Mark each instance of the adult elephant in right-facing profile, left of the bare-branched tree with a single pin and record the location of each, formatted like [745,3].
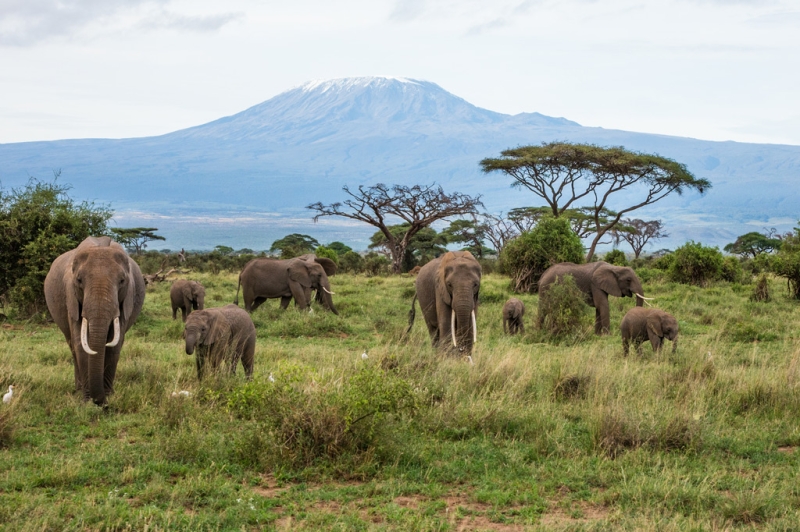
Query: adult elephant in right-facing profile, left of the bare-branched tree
[265,278]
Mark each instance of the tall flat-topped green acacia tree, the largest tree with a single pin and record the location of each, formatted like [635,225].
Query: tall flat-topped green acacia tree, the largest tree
[564,174]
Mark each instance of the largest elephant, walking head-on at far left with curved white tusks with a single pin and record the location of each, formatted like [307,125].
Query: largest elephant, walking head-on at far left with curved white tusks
[95,293]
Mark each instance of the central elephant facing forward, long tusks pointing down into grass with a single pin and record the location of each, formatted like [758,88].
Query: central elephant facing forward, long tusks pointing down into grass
[447,288]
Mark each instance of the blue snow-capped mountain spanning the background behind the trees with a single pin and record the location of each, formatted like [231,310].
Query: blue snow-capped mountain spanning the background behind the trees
[244,180]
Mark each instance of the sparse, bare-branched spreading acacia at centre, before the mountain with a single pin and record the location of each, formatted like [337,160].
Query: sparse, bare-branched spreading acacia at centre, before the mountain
[419,206]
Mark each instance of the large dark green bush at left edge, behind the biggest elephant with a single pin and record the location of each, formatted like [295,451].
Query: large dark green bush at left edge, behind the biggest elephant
[38,223]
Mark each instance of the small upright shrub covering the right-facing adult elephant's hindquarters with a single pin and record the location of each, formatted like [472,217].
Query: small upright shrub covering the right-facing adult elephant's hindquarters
[562,308]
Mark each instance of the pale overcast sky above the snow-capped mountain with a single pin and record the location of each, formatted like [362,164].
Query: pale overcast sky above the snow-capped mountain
[709,69]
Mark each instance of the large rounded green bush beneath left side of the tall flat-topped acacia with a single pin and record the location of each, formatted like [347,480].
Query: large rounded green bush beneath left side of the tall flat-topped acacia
[526,257]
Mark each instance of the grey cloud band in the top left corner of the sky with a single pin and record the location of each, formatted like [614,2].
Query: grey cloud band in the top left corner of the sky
[28,22]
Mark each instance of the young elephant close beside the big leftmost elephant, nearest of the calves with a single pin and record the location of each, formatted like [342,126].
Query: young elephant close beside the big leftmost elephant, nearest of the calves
[221,333]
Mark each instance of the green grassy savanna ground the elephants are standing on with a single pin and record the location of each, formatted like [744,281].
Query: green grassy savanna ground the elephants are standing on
[534,435]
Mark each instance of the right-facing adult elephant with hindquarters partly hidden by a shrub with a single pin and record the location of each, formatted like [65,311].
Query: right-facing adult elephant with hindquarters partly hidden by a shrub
[597,280]
